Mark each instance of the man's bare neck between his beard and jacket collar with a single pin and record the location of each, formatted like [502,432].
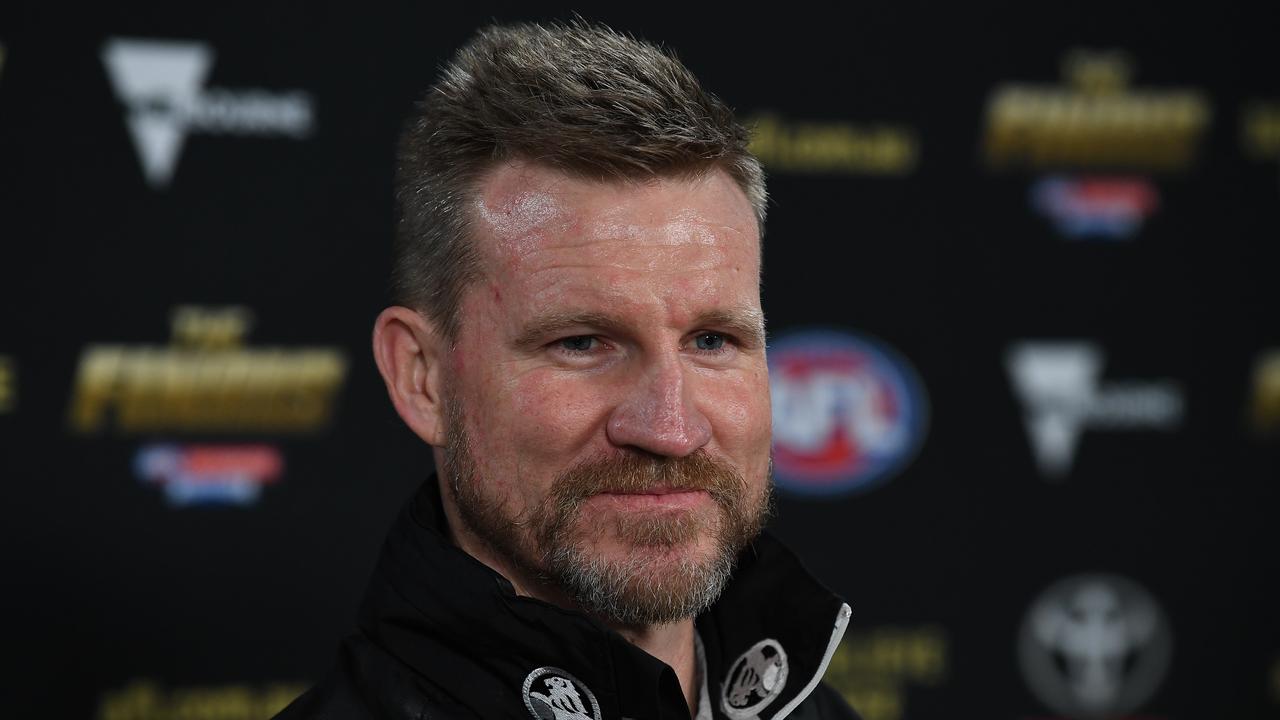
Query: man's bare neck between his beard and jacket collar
[671,644]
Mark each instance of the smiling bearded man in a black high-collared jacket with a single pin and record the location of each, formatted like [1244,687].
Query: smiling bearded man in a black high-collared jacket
[579,336]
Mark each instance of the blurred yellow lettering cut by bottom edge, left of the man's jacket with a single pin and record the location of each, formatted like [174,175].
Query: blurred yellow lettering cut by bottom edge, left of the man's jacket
[150,700]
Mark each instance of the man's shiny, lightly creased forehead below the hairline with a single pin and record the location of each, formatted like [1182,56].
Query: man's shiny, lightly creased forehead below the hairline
[532,218]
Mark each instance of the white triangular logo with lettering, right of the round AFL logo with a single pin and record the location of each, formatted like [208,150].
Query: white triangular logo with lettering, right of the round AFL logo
[1062,390]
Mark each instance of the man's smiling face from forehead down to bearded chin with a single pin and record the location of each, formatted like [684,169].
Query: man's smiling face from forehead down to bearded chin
[607,395]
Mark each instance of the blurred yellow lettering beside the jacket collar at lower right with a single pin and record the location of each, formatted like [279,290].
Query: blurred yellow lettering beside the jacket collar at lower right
[876,669]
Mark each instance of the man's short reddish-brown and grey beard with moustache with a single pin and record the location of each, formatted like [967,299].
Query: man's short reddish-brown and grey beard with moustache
[657,581]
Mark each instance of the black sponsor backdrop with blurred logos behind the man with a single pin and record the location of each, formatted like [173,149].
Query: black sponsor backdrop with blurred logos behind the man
[1021,276]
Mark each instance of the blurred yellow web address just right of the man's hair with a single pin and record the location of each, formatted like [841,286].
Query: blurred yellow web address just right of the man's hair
[834,148]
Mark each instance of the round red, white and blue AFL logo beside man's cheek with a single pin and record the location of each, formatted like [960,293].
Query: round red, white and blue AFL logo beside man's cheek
[848,413]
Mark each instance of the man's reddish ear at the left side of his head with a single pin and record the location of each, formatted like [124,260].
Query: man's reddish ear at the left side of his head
[409,353]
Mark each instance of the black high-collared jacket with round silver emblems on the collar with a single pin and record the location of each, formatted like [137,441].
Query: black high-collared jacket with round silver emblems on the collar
[442,636]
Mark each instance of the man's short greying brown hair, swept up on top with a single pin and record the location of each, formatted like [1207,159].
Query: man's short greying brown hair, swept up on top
[575,97]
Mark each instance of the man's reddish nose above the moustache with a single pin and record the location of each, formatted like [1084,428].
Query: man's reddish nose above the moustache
[659,413]
